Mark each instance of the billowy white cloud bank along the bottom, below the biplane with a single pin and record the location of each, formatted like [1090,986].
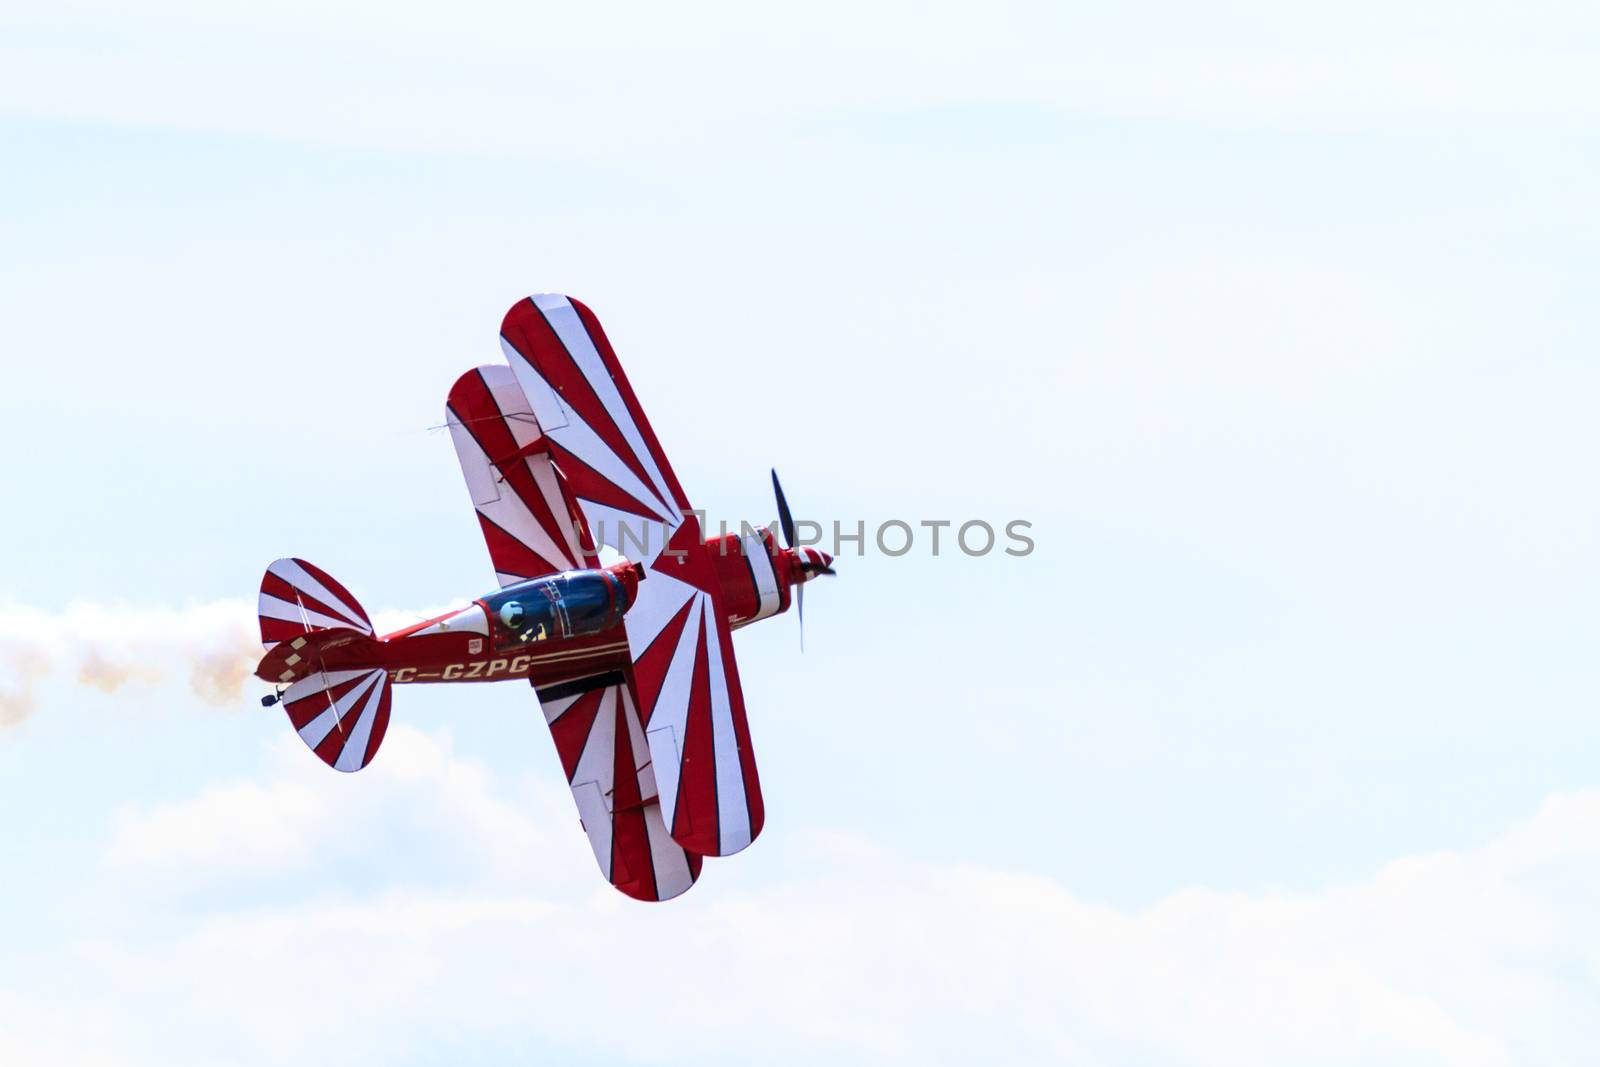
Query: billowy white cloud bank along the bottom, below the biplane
[823,946]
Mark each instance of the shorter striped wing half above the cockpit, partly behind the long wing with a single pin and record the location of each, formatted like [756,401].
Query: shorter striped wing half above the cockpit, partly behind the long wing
[524,511]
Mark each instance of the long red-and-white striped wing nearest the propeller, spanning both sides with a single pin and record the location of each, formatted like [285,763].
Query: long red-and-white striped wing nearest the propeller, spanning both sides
[686,679]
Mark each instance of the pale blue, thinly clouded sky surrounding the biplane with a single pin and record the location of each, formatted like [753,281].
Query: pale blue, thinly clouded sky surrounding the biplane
[1274,322]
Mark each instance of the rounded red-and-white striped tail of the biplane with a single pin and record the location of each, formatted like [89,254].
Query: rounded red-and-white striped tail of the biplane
[321,642]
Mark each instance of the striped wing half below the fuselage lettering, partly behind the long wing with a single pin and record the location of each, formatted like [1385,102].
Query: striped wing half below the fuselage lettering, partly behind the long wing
[598,735]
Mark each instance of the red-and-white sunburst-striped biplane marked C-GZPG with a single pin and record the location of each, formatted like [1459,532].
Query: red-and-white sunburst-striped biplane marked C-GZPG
[633,660]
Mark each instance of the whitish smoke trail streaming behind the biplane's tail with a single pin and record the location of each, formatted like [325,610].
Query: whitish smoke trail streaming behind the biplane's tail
[215,647]
